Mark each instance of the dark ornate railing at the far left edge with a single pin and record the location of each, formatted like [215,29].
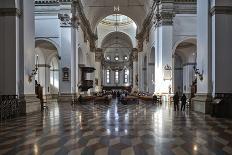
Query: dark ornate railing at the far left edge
[10,106]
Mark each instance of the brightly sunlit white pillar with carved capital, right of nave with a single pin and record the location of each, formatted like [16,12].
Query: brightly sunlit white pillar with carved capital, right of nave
[164,24]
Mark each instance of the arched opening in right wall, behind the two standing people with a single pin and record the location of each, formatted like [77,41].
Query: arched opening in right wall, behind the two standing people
[184,59]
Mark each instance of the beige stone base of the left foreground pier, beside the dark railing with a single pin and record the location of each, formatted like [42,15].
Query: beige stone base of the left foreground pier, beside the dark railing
[31,104]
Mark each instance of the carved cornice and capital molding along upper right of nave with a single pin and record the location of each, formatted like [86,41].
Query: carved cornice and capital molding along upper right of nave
[163,12]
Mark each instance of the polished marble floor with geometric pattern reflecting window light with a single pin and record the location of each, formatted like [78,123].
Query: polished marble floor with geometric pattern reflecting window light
[141,129]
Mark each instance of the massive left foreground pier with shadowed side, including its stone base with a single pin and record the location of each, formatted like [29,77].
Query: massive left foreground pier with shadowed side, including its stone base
[17,58]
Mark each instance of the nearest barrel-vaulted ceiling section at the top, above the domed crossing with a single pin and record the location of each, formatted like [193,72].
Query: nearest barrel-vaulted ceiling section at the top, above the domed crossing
[96,10]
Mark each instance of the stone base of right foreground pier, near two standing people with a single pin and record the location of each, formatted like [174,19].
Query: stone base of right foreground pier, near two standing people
[202,103]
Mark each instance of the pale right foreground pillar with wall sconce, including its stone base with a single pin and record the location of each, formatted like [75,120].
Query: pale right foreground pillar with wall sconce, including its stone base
[201,102]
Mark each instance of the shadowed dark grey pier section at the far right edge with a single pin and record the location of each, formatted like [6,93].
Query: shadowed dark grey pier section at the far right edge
[221,12]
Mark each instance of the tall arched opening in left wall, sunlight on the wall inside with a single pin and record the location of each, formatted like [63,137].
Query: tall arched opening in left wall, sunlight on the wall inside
[48,57]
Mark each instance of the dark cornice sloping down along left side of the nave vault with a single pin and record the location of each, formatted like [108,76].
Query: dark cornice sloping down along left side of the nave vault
[85,26]
